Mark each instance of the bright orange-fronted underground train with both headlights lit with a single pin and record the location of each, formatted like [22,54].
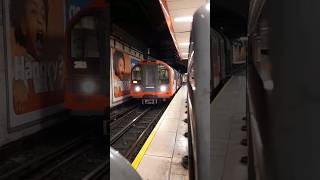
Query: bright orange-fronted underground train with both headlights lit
[153,81]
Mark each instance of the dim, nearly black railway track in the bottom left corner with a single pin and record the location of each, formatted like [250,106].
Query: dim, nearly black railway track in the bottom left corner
[84,157]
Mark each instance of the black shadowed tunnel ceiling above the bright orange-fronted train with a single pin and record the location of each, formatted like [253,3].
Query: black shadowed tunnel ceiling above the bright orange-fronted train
[144,20]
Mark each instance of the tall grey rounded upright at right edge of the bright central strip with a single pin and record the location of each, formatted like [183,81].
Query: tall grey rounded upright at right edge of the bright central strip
[199,76]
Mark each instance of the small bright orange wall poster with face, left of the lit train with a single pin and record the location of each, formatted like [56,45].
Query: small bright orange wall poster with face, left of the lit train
[121,69]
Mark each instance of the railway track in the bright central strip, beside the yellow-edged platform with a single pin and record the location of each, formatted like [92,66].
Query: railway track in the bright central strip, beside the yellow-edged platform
[130,132]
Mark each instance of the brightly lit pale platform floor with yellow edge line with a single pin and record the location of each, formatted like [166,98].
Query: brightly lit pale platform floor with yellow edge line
[166,146]
